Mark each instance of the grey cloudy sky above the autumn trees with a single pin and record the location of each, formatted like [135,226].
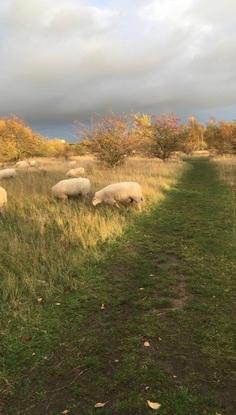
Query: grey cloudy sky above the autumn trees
[67,60]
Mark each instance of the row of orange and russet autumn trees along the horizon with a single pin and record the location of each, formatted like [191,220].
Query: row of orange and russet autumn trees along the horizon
[113,138]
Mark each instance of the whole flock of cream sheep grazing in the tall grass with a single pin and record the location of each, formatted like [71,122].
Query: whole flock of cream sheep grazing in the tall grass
[75,185]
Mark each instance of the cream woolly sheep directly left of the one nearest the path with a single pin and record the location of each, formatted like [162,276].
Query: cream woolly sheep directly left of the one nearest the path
[71,188]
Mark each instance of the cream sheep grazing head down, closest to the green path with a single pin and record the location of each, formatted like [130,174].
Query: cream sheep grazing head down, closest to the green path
[126,192]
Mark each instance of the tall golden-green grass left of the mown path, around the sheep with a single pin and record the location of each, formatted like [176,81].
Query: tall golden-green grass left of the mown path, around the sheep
[44,242]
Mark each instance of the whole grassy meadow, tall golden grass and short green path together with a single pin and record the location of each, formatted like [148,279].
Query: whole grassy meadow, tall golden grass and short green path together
[116,307]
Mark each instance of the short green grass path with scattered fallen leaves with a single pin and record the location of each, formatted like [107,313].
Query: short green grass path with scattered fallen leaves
[182,254]
